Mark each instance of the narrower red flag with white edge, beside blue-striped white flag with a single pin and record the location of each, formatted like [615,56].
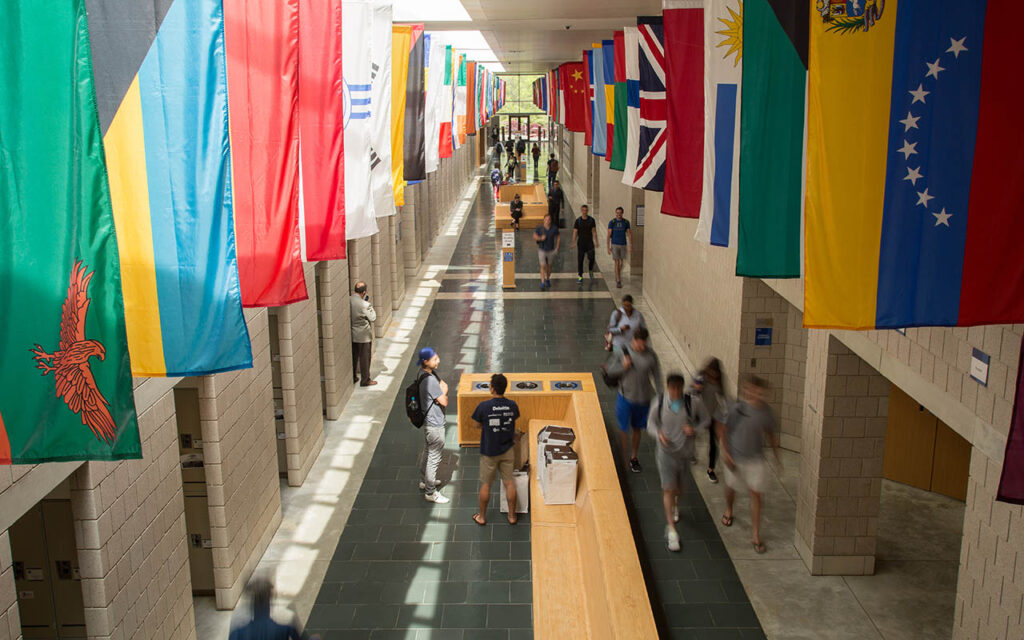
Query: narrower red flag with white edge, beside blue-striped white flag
[322,131]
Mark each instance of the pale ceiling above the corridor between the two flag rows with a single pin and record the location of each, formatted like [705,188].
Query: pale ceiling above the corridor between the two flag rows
[531,36]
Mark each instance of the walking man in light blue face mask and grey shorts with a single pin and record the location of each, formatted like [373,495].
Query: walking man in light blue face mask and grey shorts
[672,420]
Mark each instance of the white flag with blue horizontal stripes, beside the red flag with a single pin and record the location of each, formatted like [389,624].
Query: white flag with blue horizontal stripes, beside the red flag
[358,22]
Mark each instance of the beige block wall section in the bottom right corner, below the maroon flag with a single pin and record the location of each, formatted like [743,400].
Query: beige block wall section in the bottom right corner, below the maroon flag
[991,584]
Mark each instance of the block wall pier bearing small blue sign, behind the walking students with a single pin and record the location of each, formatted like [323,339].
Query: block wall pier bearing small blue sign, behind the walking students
[783,364]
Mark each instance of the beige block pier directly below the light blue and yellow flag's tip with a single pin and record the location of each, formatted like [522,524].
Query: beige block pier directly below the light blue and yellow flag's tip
[241,461]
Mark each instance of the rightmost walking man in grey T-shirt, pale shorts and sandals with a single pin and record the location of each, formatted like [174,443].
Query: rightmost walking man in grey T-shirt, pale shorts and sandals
[742,442]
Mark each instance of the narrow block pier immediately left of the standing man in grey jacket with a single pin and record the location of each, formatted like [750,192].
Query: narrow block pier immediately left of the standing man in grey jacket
[336,334]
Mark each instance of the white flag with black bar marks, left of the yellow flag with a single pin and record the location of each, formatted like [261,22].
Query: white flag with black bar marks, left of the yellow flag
[381,186]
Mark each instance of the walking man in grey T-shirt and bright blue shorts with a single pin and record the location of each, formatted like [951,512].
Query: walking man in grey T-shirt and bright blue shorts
[639,380]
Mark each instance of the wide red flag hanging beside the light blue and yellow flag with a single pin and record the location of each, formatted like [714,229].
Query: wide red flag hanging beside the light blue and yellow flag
[262,47]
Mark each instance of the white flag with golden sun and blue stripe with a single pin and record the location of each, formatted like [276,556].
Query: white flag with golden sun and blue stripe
[723,71]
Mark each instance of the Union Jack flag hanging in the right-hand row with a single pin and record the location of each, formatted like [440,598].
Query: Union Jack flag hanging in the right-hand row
[654,109]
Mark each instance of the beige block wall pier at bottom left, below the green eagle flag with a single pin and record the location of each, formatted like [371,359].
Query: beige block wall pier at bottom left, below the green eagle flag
[131,531]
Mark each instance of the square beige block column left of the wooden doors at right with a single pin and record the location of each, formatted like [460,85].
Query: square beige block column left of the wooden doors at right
[843,443]
